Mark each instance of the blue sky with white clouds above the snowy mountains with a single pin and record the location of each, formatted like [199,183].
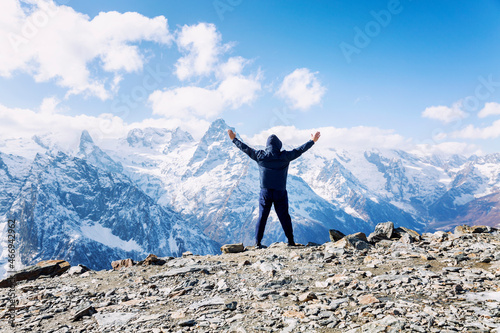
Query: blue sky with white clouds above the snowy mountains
[390,73]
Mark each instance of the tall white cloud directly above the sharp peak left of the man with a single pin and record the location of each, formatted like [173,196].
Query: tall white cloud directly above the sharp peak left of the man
[229,88]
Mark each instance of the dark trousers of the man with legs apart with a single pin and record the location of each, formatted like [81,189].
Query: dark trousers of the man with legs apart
[280,200]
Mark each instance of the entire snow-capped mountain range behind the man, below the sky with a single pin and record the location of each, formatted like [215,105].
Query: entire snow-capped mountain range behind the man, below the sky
[160,191]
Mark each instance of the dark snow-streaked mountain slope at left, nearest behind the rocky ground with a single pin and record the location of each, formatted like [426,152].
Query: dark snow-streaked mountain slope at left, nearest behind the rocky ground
[69,209]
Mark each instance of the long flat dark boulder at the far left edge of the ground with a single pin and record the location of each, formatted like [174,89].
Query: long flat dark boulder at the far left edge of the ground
[45,268]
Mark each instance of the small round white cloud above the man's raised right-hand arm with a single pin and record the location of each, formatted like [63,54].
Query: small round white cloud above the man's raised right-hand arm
[301,89]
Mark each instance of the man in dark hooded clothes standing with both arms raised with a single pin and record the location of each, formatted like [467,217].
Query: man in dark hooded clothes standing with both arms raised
[273,166]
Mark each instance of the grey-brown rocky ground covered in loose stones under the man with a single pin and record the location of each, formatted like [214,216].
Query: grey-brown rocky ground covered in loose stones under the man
[400,282]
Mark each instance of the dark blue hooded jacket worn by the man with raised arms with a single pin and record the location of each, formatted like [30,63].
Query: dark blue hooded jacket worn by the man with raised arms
[273,162]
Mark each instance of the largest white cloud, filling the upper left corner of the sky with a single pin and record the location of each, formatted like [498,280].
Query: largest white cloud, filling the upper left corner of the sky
[54,42]
